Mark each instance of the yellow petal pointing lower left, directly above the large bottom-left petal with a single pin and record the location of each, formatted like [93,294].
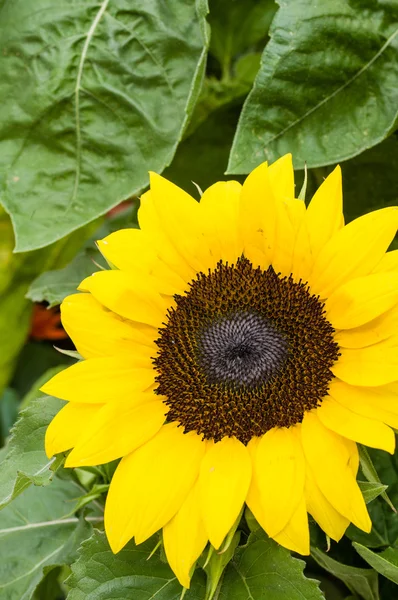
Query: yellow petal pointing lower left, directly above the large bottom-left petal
[117,429]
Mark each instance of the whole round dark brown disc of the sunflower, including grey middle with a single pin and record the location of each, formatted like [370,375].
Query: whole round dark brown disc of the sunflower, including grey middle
[244,350]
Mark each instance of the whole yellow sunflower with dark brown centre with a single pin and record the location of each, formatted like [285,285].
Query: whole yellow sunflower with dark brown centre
[235,353]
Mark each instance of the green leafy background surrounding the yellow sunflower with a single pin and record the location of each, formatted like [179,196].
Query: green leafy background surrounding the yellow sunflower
[93,94]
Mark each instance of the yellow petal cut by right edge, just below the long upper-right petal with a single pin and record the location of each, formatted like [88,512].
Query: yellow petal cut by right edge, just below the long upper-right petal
[362,299]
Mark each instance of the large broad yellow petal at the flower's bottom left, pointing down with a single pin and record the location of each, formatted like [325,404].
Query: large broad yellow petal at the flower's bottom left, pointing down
[150,485]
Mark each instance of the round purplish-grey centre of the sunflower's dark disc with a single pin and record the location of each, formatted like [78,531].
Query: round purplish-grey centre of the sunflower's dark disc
[241,349]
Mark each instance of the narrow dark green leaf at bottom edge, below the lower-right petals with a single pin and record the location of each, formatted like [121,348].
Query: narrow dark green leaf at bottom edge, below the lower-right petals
[363,582]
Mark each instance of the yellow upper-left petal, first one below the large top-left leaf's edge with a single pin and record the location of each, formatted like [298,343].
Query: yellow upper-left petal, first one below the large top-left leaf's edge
[131,250]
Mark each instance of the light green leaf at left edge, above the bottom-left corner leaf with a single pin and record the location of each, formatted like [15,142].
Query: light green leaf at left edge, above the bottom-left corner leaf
[25,461]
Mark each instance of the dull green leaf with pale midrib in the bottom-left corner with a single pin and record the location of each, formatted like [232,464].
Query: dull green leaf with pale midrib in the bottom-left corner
[36,535]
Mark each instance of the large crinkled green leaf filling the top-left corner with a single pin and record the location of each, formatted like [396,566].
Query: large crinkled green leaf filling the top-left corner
[93,95]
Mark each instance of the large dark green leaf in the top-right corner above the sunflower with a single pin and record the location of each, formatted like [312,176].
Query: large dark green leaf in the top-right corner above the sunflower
[326,89]
